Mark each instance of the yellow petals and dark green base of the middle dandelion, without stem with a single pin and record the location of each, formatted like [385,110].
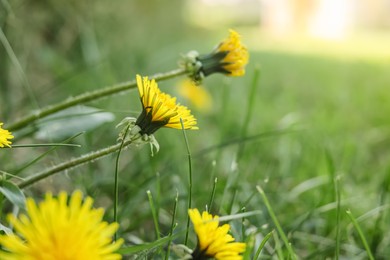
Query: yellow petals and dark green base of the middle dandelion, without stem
[160,109]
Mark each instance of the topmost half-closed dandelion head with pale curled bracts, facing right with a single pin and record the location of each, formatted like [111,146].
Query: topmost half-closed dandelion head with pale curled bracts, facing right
[229,57]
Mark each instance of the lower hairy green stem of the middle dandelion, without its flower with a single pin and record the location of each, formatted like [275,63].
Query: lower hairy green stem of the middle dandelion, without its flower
[72,163]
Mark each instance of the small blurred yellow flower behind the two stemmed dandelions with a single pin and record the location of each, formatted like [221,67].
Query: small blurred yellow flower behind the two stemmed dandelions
[197,95]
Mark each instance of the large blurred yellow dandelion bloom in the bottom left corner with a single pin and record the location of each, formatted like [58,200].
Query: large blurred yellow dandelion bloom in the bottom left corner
[56,230]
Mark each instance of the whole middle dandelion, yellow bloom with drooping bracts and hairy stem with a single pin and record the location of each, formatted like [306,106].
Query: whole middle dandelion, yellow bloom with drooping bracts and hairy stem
[159,110]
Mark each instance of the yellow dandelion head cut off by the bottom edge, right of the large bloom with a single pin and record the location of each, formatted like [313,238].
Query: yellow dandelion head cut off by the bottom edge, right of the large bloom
[214,240]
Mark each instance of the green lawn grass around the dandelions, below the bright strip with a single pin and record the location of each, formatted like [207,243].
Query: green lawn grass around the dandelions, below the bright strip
[311,117]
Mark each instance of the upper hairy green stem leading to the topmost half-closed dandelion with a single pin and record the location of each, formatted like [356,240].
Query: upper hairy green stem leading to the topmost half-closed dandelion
[86,97]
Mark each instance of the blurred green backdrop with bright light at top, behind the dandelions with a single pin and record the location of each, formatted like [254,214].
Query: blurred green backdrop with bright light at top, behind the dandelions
[320,110]
